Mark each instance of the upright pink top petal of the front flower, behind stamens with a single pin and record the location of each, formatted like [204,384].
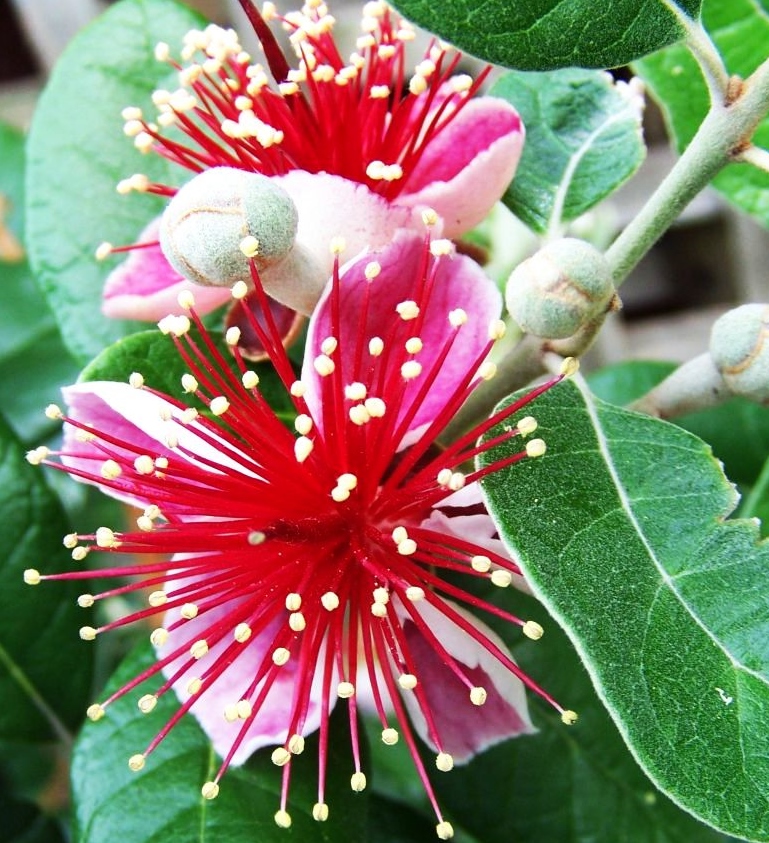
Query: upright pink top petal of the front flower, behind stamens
[460,283]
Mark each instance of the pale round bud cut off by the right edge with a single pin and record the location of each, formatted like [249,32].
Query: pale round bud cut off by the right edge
[740,351]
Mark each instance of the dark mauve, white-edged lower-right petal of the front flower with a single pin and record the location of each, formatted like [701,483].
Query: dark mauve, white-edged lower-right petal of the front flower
[464,728]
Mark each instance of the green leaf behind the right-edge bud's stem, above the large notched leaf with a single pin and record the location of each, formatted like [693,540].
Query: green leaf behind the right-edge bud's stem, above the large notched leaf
[737,431]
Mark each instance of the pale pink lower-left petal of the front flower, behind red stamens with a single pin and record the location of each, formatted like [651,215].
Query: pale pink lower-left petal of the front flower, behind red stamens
[269,727]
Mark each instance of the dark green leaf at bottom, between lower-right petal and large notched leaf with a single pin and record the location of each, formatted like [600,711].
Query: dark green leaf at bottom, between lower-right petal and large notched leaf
[563,783]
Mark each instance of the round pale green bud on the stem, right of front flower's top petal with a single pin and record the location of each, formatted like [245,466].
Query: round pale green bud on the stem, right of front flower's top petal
[563,287]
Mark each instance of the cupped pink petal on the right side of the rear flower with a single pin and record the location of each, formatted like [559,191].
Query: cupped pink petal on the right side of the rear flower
[466,169]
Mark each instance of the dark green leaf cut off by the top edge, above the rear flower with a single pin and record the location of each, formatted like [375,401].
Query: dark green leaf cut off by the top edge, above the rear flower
[549,34]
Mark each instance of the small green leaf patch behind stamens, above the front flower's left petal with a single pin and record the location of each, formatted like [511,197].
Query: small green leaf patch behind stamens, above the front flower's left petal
[155,356]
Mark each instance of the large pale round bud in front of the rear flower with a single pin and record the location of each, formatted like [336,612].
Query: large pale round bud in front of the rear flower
[204,227]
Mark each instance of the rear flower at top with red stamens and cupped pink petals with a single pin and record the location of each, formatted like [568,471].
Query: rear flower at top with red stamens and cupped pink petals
[399,141]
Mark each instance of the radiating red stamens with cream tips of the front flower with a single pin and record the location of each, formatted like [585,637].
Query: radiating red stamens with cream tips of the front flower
[304,549]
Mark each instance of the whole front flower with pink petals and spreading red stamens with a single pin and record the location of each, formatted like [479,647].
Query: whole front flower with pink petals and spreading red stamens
[307,567]
